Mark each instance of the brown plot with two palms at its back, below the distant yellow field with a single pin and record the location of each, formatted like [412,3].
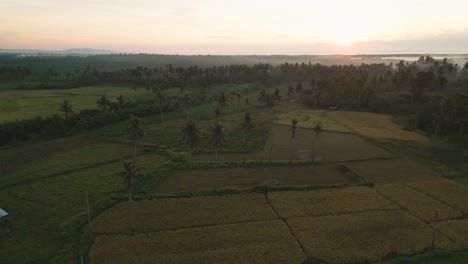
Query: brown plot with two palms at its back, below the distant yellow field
[306,145]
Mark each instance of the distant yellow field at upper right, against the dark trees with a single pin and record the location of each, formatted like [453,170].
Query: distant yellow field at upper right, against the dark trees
[374,125]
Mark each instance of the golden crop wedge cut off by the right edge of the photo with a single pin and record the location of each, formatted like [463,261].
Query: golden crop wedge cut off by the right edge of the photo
[447,191]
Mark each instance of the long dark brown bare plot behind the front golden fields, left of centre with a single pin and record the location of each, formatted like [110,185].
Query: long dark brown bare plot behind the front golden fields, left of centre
[242,178]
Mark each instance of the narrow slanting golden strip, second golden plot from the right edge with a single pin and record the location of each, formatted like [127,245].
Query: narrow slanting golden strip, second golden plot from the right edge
[418,203]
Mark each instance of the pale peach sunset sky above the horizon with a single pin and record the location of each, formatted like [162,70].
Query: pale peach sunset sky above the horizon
[237,26]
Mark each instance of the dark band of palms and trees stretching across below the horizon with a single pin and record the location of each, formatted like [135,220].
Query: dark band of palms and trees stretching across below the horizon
[403,88]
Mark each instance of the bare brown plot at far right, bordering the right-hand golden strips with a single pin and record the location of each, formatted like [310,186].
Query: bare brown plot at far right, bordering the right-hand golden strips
[392,171]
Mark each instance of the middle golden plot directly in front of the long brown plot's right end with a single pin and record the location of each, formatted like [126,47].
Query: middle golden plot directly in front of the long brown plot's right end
[328,202]
